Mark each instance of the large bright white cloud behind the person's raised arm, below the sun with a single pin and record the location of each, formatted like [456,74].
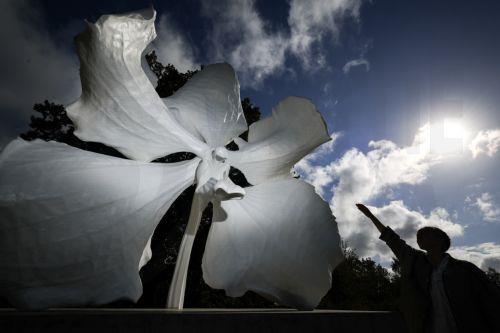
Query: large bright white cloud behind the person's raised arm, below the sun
[364,177]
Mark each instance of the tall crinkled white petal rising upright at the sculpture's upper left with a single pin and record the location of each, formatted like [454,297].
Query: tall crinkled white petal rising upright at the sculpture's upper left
[119,107]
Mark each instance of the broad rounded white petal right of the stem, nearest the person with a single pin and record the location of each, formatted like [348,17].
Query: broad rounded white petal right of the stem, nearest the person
[280,240]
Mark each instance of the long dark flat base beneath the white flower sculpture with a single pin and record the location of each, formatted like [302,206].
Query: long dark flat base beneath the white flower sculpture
[199,320]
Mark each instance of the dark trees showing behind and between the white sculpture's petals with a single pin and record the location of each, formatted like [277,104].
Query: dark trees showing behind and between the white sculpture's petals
[358,283]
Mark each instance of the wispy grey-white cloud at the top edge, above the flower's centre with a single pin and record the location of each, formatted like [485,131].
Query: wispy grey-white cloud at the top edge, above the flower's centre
[241,36]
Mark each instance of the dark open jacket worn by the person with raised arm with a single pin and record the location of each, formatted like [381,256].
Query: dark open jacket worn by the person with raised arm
[473,299]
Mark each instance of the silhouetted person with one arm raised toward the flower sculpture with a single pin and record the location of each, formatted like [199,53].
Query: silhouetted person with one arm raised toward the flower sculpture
[438,292]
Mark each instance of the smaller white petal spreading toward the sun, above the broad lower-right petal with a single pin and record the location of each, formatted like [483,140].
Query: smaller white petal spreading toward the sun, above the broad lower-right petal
[276,143]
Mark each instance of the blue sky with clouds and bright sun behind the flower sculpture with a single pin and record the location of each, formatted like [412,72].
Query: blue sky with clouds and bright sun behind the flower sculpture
[409,89]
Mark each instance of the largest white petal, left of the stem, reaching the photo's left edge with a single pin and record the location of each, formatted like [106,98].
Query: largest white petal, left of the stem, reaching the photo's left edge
[74,225]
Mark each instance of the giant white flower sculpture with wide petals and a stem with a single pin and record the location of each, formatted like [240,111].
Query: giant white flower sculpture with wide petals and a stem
[75,225]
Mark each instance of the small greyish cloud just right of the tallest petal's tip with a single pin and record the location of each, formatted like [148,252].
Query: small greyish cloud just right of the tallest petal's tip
[172,47]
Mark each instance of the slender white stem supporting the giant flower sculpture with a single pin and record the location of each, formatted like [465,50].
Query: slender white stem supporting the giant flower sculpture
[177,288]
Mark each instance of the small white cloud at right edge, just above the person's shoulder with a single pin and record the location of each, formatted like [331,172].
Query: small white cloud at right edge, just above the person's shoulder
[484,255]
